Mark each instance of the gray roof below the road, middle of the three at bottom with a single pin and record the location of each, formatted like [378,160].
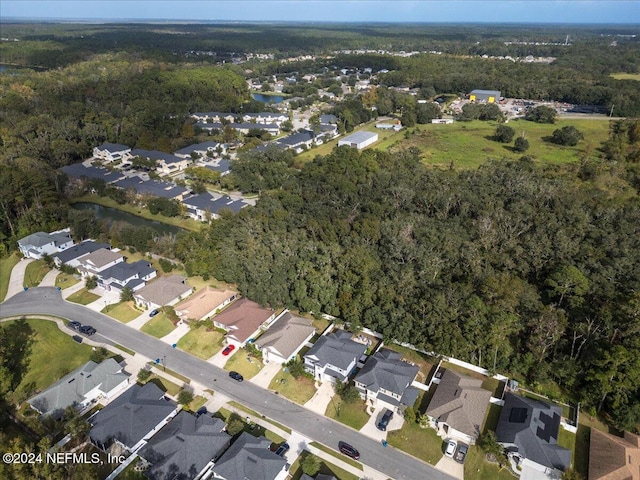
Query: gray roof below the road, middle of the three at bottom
[184,446]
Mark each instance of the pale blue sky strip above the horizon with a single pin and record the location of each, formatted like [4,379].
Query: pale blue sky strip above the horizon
[450,11]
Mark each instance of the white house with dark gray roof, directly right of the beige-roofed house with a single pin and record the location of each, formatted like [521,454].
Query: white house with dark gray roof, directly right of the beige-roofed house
[334,357]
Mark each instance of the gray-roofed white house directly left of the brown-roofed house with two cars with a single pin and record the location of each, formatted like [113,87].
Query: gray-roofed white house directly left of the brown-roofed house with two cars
[385,380]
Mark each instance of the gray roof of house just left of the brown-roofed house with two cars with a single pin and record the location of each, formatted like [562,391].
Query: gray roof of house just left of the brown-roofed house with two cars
[386,370]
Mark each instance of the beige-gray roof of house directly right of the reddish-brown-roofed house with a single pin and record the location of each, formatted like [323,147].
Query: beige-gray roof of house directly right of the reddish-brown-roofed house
[286,334]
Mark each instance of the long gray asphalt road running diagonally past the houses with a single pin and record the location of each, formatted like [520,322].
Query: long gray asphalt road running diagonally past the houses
[391,462]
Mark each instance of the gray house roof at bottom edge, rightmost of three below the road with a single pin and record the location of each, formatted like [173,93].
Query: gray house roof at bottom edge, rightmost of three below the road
[249,458]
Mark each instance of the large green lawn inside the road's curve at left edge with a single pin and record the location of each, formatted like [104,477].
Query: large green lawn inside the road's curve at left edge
[53,355]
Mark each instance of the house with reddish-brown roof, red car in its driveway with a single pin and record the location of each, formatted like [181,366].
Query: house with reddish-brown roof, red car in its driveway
[242,321]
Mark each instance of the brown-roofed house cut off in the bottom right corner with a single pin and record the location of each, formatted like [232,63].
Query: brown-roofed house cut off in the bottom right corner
[612,457]
